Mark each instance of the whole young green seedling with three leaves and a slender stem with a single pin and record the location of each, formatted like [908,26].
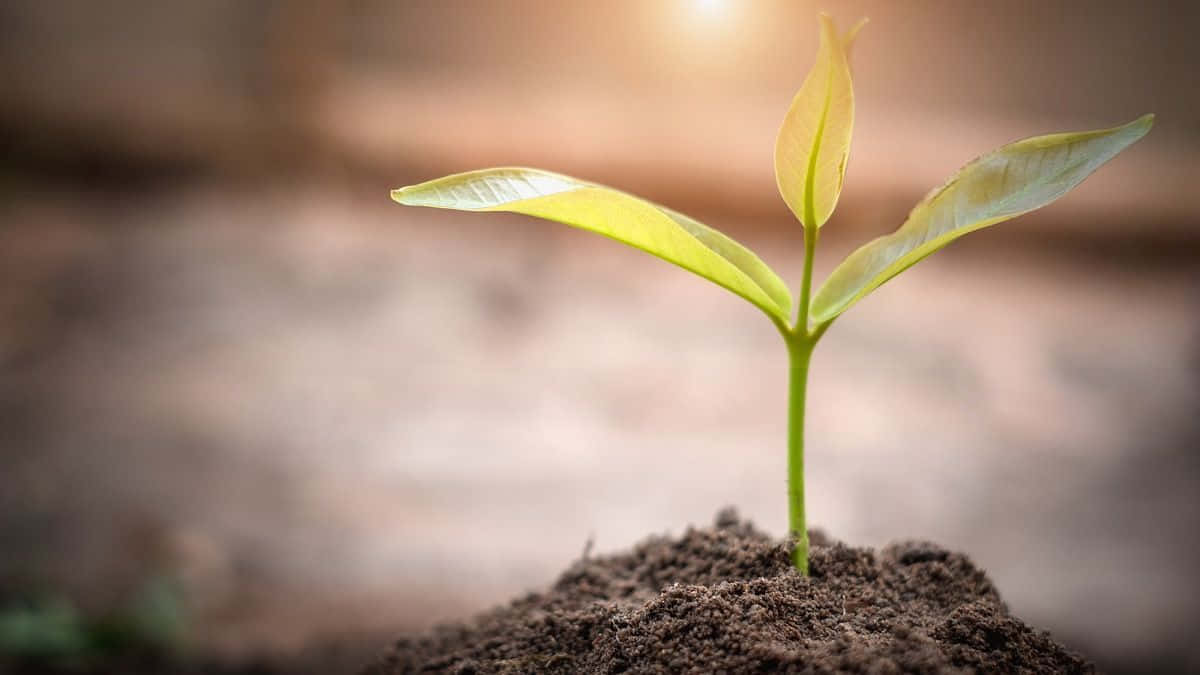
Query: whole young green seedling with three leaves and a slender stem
[811,162]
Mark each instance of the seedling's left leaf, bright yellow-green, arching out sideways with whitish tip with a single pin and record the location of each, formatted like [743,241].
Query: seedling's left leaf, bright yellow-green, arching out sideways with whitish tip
[656,230]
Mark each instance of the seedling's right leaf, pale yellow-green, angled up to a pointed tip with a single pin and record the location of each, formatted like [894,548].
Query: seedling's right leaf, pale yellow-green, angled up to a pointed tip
[1010,182]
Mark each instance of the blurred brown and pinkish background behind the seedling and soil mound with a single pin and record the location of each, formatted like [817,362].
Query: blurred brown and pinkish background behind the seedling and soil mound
[251,405]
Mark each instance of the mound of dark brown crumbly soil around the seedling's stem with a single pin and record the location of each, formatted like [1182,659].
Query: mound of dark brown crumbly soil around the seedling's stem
[727,600]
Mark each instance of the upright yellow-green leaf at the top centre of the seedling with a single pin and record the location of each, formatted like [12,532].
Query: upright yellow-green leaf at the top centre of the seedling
[814,144]
